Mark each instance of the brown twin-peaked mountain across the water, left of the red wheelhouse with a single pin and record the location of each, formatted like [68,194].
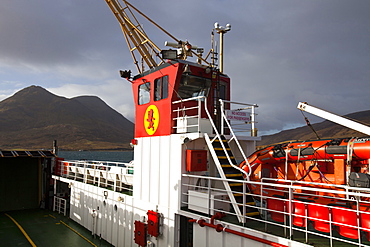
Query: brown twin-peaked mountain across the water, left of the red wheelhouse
[33,117]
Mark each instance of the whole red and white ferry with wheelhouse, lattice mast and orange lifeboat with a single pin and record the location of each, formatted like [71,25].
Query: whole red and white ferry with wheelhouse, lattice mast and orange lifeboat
[196,179]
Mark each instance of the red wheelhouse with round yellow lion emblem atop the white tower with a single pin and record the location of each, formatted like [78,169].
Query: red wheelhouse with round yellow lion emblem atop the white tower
[161,93]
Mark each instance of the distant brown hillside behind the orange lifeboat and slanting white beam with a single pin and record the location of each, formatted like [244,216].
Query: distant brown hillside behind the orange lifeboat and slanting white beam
[325,130]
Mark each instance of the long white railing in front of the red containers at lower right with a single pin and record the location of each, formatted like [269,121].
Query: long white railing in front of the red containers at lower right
[312,213]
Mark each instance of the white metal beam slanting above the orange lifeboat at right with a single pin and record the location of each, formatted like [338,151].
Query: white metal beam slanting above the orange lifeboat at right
[303,106]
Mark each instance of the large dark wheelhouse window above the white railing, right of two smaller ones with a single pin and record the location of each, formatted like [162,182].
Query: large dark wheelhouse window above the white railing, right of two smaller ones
[193,86]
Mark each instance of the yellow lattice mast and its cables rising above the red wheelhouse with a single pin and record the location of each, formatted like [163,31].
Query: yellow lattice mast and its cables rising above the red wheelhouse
[139,43]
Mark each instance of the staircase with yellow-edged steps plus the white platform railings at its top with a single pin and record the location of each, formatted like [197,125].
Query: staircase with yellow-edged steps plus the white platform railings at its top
[223,157]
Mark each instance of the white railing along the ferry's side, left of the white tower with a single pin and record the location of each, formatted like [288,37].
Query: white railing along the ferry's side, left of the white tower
[115,176]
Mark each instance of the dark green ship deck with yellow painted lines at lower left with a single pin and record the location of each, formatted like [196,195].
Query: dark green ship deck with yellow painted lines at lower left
[38,227]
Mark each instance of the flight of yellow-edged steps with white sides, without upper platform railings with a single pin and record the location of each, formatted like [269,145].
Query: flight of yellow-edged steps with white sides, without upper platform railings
[228,168]
